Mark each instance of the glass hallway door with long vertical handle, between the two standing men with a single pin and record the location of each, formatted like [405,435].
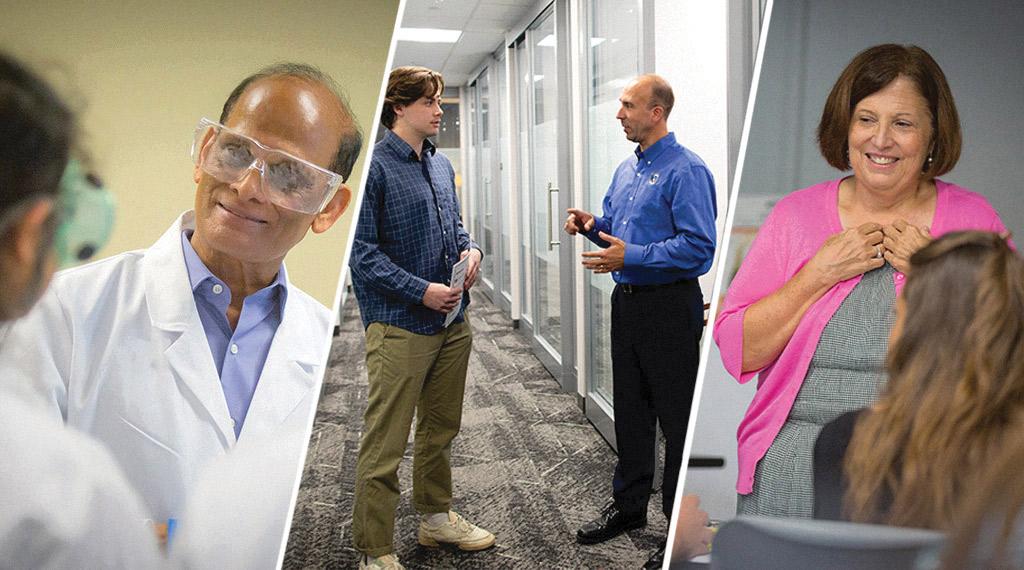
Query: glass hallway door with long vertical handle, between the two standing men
[540,124]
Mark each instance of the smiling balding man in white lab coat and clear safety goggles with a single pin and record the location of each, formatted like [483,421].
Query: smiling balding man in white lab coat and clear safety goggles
[174,355]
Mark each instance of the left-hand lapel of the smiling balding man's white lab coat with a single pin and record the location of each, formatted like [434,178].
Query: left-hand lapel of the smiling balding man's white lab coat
[173,312]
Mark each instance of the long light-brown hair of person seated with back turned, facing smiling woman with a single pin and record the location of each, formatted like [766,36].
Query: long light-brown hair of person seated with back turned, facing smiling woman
[956,389]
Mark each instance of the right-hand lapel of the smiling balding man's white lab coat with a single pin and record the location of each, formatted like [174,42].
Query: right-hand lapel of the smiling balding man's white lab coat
[292,370]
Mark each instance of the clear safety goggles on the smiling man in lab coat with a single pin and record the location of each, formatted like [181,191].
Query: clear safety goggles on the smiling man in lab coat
[288,181]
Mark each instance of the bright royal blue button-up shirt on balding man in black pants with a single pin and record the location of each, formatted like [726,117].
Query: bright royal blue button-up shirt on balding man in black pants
[662,204]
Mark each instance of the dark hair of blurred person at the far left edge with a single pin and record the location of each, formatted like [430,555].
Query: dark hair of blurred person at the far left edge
[36,134]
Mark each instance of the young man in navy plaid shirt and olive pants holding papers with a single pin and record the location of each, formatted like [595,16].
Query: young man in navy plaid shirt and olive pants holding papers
[409,237]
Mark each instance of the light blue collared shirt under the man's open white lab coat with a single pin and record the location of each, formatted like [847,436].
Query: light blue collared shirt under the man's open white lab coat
[239,356]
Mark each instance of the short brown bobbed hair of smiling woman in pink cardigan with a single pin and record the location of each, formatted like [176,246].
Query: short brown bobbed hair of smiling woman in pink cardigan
[870,72]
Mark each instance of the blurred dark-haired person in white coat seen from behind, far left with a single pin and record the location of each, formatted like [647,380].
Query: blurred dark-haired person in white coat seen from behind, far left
[64,502]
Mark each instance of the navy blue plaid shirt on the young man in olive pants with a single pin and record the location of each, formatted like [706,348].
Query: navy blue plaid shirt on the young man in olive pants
[409,235]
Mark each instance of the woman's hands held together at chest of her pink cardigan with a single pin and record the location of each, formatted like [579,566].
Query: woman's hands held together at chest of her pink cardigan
[868,247]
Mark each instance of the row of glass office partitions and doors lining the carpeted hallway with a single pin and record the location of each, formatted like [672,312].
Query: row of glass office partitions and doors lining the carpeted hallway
[523,114]
